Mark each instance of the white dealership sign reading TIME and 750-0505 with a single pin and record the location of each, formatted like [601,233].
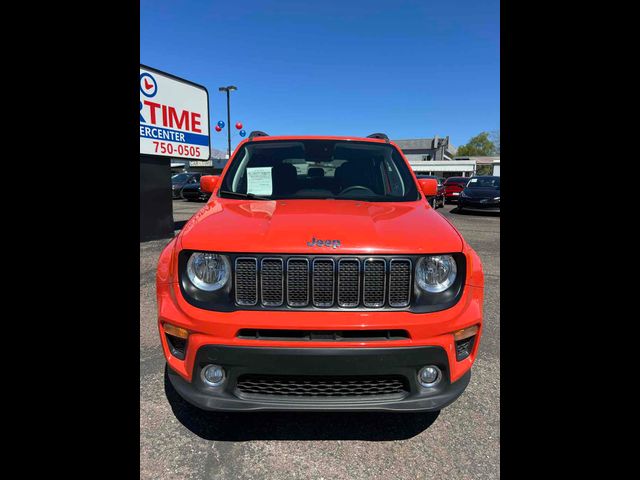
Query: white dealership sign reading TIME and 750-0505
[174,116]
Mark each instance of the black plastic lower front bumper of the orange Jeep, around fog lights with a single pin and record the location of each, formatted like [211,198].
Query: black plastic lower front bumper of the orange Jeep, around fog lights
[405,362]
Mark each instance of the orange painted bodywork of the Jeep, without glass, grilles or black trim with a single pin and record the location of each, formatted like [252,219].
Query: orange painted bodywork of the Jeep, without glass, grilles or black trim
[285,226]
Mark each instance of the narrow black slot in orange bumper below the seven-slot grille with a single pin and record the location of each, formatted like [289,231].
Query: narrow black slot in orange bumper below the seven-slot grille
[322,335]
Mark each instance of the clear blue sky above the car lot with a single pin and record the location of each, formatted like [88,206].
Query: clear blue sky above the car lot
[410,69]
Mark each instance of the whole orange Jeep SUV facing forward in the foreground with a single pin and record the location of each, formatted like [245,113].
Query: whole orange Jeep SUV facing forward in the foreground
[318,277]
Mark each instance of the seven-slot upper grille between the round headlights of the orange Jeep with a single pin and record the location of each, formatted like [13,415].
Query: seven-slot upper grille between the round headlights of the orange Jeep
[323,282]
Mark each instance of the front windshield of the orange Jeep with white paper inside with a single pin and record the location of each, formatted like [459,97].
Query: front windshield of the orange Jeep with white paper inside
[321,169]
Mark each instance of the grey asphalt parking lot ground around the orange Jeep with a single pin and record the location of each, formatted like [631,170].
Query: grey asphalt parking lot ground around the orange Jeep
[461,442]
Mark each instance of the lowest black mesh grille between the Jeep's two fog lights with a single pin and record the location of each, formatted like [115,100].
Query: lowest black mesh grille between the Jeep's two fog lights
[322,386]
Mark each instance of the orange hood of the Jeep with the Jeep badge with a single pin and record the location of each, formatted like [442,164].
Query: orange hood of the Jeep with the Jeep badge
[290,226]
